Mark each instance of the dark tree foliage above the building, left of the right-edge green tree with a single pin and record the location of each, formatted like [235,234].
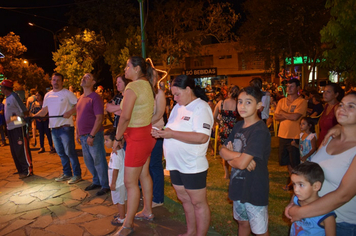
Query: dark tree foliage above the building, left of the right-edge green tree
[284,28]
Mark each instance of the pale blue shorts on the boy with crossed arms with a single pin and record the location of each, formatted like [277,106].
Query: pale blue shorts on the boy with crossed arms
[257,216]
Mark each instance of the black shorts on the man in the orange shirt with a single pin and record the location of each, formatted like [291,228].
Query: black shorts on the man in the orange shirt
[288,154]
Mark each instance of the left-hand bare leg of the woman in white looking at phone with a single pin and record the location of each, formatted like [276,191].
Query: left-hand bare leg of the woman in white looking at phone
[188,210]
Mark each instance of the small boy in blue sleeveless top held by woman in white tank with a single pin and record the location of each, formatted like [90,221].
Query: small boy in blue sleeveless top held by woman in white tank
[307,179]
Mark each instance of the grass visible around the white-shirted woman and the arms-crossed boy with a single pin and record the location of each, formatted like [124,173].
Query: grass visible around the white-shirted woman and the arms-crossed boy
[221,207]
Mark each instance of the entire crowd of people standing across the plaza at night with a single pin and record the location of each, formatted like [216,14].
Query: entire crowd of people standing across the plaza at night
[151,121]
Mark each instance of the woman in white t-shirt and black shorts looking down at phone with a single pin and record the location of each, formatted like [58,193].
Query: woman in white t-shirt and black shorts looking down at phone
[186,139]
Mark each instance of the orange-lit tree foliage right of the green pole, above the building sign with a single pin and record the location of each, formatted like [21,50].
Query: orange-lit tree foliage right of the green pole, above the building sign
[176,29]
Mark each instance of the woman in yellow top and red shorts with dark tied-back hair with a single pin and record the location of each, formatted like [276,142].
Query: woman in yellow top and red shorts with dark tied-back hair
[135,126]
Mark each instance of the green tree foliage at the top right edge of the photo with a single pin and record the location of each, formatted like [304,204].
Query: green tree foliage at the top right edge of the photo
[339,36]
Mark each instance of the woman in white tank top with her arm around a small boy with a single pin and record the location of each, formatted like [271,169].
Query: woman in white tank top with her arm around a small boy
[338,162]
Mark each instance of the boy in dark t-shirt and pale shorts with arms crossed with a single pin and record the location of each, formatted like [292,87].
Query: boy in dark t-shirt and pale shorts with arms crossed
[247,151]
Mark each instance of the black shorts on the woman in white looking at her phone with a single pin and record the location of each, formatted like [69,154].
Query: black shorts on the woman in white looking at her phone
[189,181]
